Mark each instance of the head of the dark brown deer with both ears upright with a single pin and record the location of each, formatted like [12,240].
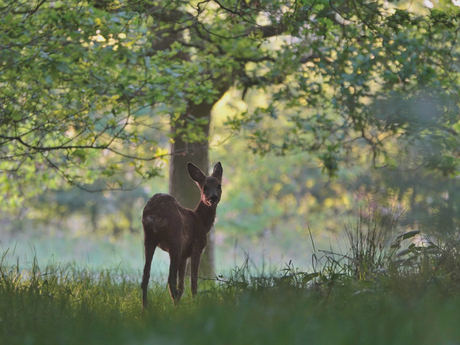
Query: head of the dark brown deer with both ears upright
[210,186]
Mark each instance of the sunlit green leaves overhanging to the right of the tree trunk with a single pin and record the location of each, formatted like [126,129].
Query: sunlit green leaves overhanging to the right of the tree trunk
[347,63]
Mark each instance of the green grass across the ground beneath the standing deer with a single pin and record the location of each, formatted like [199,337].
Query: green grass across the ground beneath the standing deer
[66,304]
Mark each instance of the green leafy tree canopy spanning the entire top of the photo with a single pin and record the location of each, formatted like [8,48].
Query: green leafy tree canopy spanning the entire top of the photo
[81,81]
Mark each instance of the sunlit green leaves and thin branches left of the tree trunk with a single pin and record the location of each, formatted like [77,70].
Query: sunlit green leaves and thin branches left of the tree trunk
[77,86]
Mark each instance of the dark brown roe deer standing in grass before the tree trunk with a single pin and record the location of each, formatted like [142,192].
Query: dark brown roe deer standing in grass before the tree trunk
[180,231]
